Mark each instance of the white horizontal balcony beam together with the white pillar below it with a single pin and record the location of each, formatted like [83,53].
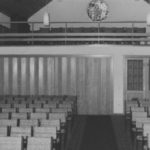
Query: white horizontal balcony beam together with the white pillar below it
[117,53]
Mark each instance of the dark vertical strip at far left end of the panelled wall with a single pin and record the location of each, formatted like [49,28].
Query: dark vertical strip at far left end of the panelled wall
[1,75]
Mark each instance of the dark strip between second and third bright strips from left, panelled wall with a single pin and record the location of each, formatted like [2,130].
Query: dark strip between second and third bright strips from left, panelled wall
[19,76]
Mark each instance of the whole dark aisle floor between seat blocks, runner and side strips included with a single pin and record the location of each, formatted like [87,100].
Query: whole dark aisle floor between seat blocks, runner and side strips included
[100,132]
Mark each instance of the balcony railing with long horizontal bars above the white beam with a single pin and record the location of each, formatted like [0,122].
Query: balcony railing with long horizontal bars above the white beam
[66,33]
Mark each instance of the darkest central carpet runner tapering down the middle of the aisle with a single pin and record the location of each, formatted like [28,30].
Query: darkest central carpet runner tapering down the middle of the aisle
[98,134]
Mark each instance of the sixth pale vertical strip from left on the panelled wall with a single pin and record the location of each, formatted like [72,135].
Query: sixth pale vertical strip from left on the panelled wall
[51,75]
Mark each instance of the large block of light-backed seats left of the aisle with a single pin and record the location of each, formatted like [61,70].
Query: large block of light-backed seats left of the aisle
[36,122]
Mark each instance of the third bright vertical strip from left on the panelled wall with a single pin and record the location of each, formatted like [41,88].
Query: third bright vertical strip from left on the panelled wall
[23,76]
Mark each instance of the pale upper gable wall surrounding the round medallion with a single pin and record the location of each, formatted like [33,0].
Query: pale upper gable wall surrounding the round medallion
[75,10]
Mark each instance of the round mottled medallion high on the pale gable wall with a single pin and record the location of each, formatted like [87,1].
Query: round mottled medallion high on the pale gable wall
[97,10]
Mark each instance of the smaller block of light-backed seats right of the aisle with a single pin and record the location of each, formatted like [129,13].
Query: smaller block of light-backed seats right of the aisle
[137,115]
